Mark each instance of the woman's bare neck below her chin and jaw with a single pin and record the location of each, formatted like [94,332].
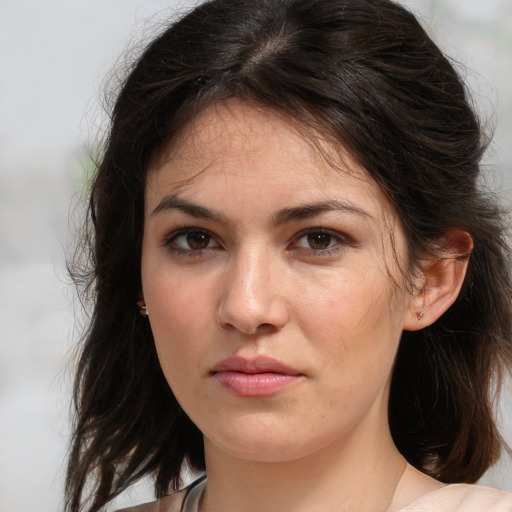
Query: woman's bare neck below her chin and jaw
[360,472]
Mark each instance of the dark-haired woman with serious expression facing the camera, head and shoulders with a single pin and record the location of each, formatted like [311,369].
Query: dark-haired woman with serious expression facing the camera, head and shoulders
[289,192]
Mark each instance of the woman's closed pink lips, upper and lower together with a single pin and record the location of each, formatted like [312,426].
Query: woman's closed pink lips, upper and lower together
[258,377]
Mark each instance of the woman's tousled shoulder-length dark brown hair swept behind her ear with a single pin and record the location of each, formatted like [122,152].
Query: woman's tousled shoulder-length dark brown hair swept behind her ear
[365,72]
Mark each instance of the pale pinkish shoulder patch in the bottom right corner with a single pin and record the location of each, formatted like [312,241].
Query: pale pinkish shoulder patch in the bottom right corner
[463,498]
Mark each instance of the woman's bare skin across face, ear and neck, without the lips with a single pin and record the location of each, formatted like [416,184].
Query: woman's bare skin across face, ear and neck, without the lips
[233,263]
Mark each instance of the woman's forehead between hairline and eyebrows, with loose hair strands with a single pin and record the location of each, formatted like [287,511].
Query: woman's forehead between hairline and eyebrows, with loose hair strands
[233,144]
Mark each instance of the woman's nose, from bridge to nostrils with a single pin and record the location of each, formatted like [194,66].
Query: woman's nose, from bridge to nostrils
[252,301]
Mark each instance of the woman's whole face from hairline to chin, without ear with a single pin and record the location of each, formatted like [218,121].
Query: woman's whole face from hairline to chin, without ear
[271,285]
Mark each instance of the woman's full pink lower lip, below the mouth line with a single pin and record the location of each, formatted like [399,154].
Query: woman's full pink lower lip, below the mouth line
[255,384]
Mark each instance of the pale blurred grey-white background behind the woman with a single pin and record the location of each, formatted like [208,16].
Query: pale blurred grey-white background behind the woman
[54,56]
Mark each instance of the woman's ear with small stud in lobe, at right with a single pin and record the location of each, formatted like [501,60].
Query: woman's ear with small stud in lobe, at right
[439,281]
